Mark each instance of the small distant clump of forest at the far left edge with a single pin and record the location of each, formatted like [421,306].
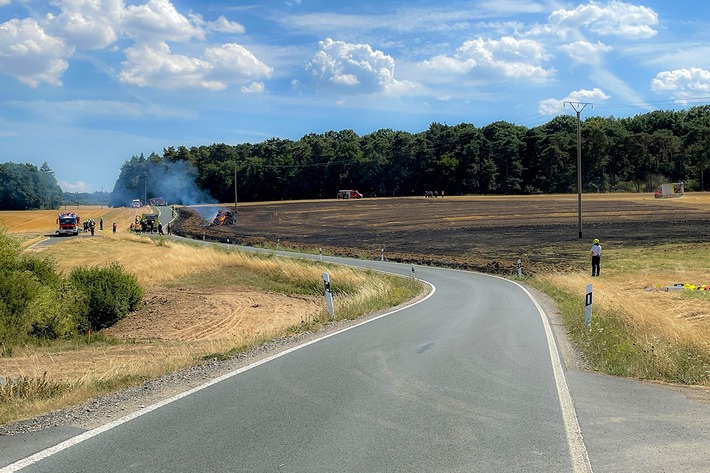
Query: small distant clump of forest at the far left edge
[27,187]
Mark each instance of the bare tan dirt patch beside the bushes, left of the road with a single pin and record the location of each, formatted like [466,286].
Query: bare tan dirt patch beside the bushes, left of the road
[173,326]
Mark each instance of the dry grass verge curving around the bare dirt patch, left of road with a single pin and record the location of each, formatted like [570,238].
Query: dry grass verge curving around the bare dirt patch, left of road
[101,365]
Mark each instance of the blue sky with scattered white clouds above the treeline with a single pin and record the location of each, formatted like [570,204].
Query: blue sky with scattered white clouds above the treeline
[87,84]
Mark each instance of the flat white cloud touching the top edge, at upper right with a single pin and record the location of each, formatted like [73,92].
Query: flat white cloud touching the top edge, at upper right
[612,19]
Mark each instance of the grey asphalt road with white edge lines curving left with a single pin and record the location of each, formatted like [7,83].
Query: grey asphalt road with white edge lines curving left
[464,381]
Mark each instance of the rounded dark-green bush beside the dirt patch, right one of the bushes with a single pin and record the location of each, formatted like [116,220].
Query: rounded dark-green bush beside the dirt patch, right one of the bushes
[111,293]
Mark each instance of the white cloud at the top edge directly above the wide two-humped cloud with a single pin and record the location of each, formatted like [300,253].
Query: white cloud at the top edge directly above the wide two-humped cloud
[158,20]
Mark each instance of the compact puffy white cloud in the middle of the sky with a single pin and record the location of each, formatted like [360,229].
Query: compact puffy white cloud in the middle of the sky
[355,68]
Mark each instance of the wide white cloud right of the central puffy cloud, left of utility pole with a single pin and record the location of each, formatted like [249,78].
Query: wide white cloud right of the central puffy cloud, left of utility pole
[507,57]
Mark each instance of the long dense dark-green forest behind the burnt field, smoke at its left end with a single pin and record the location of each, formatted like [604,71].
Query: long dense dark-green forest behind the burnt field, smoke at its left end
[627,154]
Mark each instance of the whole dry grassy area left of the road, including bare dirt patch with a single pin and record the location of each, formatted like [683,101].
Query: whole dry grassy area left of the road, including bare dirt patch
[73,371]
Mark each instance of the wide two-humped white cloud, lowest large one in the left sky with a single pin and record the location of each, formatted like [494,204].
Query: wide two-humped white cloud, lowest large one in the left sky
[156,66]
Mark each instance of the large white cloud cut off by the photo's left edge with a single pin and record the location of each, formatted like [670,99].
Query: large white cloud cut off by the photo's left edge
[31,55]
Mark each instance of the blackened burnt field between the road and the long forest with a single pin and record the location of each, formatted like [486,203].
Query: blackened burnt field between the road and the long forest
[485,234]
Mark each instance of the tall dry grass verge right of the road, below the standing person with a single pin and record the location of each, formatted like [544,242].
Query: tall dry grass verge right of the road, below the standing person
[650,332]
